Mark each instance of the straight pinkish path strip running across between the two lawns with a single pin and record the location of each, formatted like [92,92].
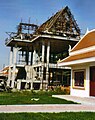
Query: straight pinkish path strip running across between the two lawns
[46,108]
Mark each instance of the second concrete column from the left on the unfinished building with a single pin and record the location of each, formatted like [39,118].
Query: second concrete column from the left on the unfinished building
[14,66]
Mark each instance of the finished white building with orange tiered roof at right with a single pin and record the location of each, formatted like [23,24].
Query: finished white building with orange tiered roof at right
[82,63]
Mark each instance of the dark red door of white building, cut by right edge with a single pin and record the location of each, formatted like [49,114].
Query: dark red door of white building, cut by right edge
[92,81]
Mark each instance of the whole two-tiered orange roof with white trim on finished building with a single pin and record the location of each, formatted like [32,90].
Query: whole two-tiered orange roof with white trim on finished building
[84,49]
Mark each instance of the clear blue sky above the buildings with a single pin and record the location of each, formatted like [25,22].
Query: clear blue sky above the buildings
[12,11]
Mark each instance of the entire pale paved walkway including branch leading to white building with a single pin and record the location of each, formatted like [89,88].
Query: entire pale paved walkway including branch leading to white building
[87,104]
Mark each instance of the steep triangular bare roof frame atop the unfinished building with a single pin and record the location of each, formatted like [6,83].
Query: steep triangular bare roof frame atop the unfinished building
[62,23]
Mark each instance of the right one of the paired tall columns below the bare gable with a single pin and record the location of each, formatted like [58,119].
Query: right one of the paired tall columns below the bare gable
[47,65]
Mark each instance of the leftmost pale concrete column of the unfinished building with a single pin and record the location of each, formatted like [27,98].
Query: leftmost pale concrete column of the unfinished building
[10,63]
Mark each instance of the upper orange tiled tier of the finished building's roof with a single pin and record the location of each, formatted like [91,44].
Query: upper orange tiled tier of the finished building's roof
[87,41]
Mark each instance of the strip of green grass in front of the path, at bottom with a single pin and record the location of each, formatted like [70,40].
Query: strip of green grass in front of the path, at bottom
[48,116]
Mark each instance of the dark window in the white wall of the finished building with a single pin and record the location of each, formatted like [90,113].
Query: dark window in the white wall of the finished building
[79,78]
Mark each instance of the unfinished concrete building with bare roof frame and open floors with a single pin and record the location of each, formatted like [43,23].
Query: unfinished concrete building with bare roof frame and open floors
[35,50]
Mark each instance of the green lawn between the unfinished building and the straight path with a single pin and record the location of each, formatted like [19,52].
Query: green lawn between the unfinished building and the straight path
[27,97]
